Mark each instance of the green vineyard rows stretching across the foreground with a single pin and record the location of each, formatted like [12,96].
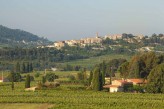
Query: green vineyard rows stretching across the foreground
[76,97]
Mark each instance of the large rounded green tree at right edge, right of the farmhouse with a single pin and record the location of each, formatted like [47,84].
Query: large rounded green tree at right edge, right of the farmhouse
[156,80]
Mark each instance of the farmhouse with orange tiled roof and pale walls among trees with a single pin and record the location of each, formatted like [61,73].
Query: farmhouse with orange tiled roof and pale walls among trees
[118,85]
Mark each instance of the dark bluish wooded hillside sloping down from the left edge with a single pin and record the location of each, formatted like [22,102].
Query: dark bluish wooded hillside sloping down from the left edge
[15,37]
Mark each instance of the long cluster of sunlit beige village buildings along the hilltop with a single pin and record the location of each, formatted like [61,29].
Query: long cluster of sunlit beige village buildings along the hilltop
[93,40]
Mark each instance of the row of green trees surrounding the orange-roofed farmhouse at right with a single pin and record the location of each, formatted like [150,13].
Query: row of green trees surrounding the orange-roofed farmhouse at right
[149,66]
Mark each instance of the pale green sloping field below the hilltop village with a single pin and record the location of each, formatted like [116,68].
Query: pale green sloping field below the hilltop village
[95,60]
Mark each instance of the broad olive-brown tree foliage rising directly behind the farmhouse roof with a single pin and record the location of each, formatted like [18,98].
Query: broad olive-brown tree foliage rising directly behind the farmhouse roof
[140,65]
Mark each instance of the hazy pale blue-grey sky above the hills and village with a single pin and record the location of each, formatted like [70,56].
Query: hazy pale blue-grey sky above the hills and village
[75,19]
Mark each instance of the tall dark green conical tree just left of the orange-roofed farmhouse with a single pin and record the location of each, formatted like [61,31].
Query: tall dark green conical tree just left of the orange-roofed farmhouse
[97,80]
